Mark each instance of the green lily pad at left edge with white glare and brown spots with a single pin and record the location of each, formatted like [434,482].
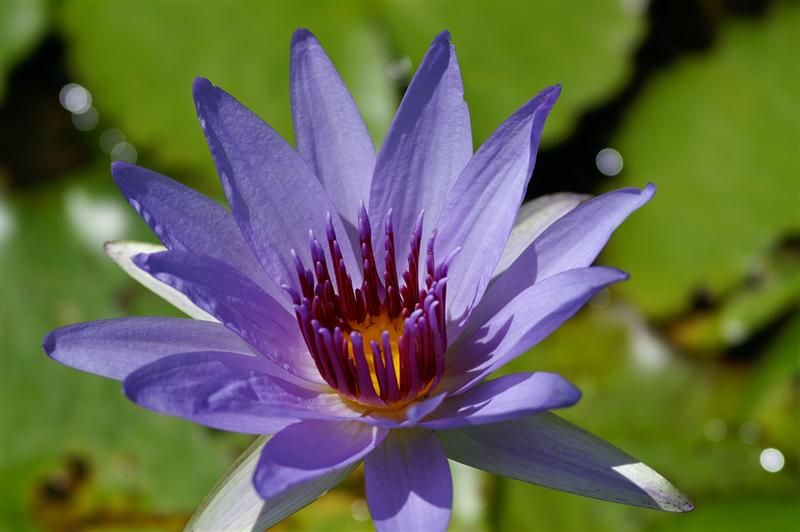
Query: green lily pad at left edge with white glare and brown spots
[75,451]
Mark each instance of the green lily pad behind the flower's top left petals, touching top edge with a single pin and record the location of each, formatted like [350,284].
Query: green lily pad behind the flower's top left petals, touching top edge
[139,60]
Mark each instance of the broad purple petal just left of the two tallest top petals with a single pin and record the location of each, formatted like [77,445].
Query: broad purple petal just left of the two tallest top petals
[274,196]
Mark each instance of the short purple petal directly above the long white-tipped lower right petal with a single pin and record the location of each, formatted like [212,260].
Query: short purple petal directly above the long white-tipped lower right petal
[505,398]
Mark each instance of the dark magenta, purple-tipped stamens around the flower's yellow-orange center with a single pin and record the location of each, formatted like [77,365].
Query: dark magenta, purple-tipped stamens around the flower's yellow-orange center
[381,344]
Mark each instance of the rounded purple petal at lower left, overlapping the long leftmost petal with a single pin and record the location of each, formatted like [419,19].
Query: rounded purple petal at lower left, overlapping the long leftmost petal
[229,392]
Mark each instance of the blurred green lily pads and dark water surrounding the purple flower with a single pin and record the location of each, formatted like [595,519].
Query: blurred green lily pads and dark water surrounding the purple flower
[693,366]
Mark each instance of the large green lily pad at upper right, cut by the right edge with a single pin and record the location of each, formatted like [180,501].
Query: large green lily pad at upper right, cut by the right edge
[718,133]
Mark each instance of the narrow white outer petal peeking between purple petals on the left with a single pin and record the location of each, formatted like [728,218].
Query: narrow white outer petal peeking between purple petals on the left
[122,252]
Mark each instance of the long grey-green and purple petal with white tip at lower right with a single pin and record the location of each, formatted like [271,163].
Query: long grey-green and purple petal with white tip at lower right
[546,450]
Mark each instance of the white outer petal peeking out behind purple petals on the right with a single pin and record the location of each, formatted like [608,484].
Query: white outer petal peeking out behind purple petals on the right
[533,218]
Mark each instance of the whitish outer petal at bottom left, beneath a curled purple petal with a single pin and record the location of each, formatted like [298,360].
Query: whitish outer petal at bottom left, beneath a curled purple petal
[233,504]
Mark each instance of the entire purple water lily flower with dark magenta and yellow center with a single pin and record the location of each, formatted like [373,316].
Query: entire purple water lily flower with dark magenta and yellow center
[352,305]
